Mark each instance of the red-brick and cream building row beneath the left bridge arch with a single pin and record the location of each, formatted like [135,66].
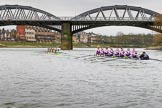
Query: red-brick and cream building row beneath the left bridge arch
[34,33]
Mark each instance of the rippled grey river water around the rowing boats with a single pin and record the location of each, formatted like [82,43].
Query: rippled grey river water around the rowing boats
[33,78]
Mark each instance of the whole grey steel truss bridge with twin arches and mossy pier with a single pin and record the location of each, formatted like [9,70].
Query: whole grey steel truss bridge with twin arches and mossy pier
[117,15]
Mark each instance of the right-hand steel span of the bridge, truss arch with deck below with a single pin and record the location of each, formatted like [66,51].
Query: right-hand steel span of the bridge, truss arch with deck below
[117,15]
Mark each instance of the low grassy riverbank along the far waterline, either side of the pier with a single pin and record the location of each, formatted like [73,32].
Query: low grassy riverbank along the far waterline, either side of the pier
[13,44]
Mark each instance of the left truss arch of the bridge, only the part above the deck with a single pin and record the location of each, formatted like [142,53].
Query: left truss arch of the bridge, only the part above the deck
[19,12]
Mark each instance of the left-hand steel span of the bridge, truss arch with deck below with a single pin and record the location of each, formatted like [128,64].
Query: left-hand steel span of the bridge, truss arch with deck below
[27,15]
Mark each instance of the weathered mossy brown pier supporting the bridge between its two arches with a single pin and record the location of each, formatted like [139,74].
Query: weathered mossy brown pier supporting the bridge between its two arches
[66,37]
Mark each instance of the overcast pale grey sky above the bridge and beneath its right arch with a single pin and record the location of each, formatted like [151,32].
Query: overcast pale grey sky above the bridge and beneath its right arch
[75,7]
